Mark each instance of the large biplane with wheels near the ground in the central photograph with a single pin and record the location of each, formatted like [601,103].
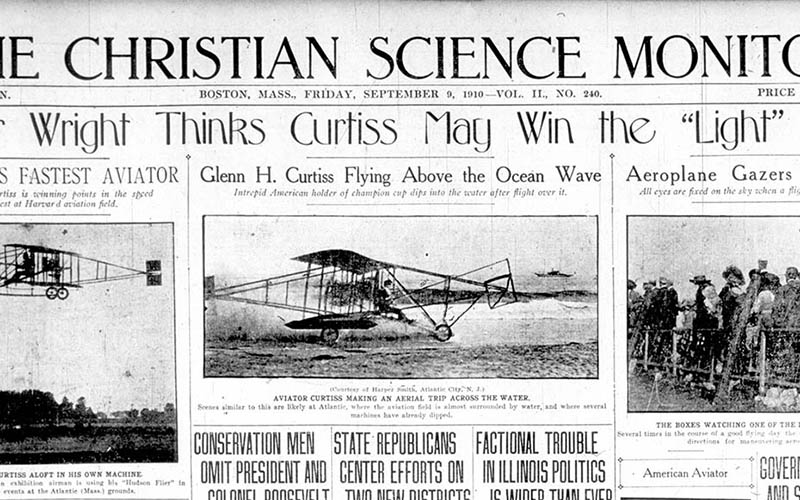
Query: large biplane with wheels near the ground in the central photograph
[344,290]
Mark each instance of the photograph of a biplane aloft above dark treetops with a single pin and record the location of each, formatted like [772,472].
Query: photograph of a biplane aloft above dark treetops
[87,356]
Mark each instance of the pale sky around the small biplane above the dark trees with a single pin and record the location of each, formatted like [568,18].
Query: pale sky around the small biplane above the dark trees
[112,343]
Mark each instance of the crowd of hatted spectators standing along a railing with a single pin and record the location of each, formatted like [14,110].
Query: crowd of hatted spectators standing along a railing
[706,324]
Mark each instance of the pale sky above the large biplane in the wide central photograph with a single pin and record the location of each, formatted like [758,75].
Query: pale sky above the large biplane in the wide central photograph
[238,249]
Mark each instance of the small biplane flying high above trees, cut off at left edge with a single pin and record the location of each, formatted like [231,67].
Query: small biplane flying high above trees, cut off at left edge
[37,271]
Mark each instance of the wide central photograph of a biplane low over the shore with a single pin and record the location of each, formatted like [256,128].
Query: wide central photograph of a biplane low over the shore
[401,297]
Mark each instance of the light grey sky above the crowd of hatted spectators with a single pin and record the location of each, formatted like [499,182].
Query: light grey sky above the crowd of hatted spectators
[682,247]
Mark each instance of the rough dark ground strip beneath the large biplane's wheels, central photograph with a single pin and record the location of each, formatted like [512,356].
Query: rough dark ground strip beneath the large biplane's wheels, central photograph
[398,359]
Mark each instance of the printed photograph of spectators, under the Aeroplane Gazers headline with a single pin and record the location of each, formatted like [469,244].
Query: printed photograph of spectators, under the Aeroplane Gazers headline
[713,307]
